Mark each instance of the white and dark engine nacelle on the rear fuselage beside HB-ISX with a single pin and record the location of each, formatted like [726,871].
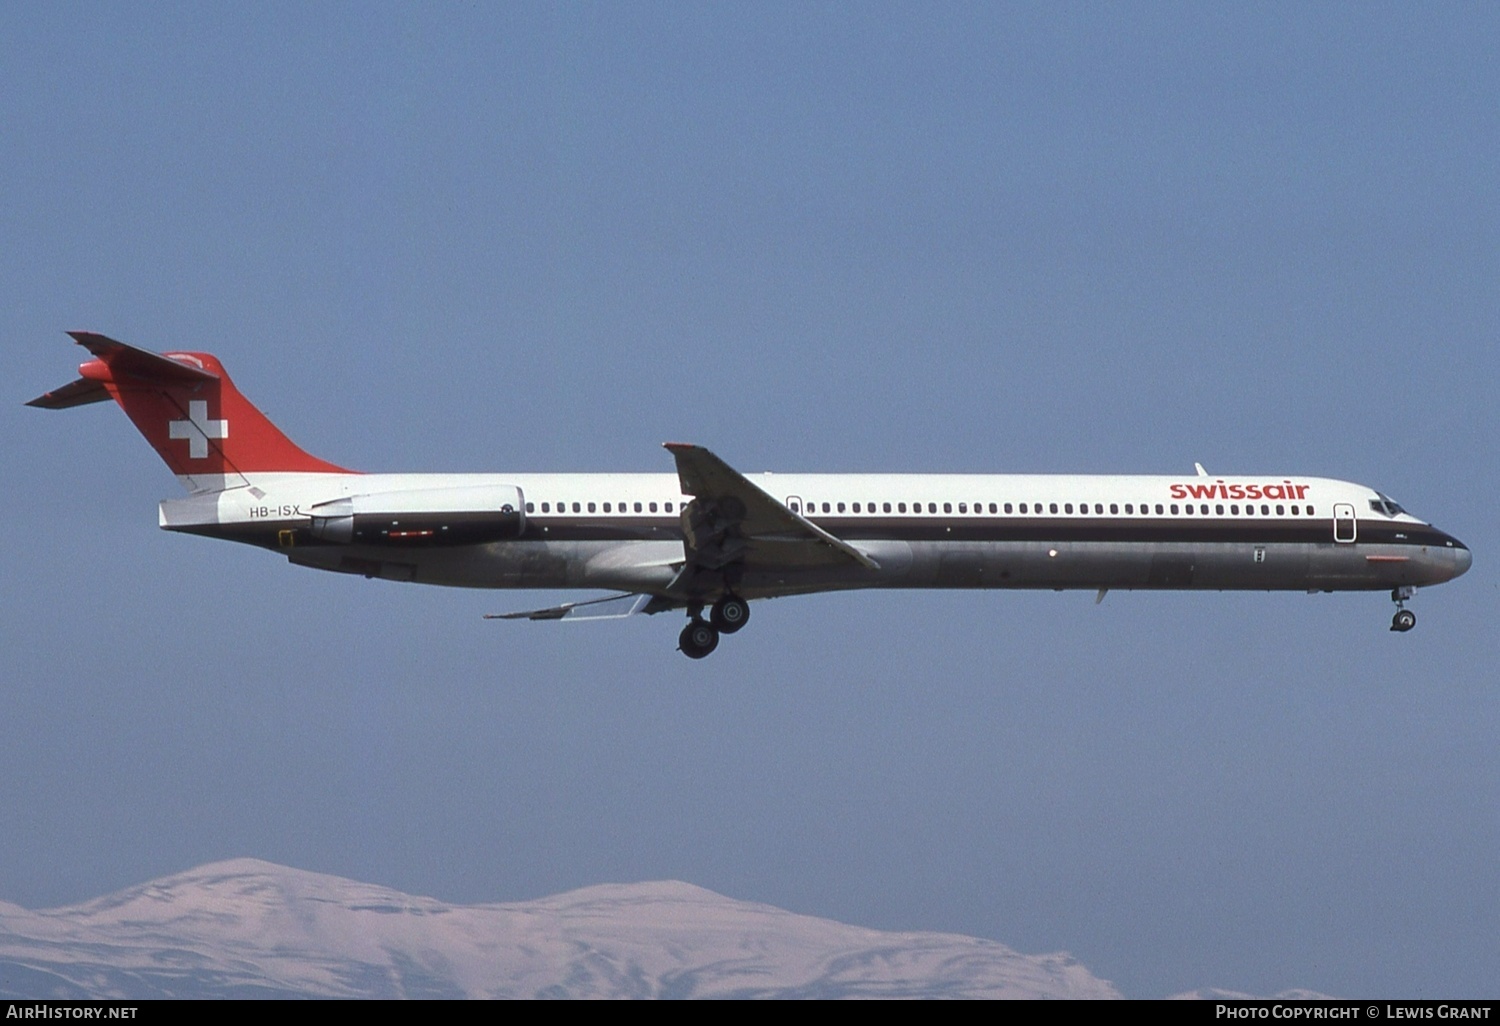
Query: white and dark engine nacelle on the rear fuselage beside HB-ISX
[430,517]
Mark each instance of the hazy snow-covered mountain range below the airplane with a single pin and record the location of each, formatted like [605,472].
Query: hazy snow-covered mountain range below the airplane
[253,929]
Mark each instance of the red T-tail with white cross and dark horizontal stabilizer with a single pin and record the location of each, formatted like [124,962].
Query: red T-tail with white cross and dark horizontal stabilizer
[188,410]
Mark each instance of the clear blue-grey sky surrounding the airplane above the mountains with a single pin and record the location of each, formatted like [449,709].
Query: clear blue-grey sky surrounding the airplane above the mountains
[814,238]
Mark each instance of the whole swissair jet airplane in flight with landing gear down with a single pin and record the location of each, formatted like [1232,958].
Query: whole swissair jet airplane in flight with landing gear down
[713,539]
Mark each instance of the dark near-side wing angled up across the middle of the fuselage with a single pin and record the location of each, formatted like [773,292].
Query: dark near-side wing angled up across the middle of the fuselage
[731,520]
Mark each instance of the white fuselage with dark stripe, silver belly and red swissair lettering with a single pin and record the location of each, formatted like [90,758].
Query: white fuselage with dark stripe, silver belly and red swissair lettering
[625,532]
